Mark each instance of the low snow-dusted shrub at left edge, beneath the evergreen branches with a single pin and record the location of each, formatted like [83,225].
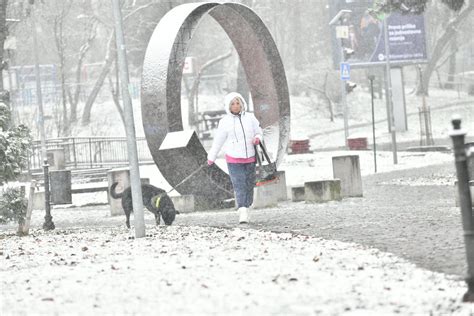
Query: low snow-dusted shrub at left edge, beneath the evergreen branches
[13,205]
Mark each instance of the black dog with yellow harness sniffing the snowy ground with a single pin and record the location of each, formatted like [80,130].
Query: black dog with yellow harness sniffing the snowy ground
[150,195]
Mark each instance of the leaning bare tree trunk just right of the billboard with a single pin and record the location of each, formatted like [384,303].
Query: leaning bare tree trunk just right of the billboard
[439,48]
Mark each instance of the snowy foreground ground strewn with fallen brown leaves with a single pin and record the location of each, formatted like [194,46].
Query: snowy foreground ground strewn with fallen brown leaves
[196,270]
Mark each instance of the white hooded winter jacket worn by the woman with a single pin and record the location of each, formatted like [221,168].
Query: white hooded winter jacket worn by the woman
[235,132]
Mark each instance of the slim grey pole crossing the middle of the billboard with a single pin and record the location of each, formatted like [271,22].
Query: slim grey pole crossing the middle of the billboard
[388,91]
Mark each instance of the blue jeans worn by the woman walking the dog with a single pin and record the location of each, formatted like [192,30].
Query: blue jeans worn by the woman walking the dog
[242,176]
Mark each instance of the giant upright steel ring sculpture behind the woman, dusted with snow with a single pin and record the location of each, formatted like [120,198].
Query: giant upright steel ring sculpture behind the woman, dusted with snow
[161,90]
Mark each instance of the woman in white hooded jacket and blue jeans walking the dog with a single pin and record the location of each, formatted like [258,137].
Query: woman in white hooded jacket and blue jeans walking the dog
[238,132]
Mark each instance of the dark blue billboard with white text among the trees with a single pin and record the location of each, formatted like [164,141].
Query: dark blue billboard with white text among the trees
[406,36]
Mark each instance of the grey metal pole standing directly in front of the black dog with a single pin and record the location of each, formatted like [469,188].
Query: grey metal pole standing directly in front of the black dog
[129,124]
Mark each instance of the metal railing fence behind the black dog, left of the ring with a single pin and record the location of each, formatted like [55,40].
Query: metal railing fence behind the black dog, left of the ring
[90,152]
